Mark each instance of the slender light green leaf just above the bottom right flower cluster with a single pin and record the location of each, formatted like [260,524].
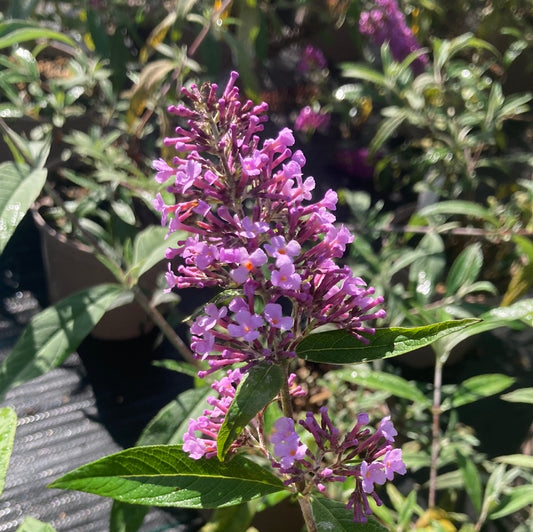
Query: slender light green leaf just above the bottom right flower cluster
[378,380]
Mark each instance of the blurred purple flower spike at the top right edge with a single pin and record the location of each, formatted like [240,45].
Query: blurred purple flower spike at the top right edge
[386,23]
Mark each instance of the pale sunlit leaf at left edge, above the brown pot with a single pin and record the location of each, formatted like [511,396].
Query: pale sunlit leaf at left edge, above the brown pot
[20,188]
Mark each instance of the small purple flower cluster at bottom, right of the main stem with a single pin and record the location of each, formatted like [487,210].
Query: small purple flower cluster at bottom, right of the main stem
[368,458]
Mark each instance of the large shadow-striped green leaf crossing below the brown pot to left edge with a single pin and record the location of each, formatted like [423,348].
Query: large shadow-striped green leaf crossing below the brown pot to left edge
[53,334]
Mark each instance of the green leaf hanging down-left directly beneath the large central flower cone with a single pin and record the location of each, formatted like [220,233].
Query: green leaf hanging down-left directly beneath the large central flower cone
[257,388]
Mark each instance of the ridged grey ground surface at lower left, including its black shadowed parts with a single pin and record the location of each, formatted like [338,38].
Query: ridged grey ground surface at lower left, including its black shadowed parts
[93,405]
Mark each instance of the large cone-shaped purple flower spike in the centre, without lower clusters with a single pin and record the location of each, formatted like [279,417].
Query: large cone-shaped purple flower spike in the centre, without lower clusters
[254,229]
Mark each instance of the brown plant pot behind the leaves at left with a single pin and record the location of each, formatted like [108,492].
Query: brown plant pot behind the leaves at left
[71,266]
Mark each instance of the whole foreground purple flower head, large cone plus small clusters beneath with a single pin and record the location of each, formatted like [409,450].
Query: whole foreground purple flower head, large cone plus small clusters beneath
[255,234]
